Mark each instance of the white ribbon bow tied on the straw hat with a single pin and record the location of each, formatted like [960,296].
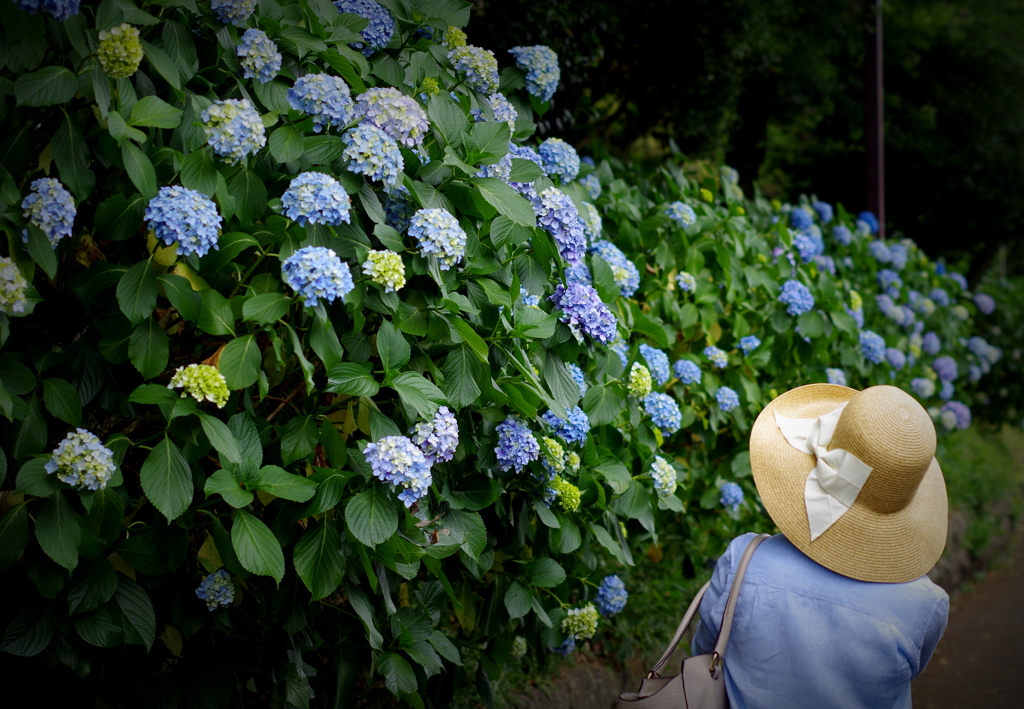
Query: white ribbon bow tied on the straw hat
[838,477]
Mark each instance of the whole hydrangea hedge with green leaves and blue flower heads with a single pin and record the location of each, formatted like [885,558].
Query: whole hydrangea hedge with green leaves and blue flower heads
[310,343]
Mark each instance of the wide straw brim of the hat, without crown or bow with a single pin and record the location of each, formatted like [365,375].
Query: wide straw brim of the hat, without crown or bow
[864,545]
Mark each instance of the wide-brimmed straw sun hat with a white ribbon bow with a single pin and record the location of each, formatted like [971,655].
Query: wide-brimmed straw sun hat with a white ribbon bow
[809,457]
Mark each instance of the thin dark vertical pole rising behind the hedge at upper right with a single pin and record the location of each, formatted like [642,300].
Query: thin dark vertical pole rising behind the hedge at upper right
[874,113]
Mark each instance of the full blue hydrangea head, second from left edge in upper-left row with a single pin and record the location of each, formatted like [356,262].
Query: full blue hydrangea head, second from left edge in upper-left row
[187,218]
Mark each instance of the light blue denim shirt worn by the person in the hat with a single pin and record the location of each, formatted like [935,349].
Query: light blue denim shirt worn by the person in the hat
[806,637]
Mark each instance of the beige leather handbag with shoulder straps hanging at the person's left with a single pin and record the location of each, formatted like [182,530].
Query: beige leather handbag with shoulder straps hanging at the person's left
[701,683]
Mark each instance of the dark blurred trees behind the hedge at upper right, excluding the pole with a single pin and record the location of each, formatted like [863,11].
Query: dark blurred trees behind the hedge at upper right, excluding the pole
[776,89]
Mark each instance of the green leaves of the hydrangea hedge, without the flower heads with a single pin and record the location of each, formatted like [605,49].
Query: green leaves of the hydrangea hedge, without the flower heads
[335,576]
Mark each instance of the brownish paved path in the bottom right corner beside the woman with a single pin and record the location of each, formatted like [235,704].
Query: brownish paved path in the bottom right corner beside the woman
[980,660]
